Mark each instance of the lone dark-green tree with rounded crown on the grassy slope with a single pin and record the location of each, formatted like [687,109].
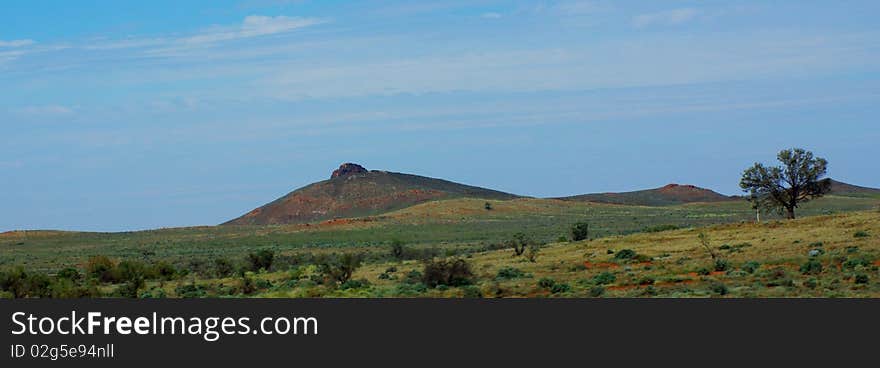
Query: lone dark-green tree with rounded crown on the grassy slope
[783,188]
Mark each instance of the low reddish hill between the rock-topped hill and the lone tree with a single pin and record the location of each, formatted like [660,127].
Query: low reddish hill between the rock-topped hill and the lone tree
[672,194]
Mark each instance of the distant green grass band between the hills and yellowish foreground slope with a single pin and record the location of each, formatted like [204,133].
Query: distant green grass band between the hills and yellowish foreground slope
[457,224]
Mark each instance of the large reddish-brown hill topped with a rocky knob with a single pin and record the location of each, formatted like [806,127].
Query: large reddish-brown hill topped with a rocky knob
[353,191]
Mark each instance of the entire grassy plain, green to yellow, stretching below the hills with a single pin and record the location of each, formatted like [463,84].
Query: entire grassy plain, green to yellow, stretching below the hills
[756,260]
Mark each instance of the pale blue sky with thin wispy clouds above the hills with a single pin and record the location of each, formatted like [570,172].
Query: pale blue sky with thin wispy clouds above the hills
[135,115]
